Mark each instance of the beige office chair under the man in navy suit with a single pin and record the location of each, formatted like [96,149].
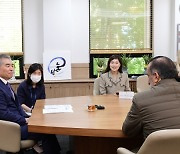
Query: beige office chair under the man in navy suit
[10,137]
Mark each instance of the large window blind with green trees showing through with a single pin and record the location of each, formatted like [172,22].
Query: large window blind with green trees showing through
[120,25]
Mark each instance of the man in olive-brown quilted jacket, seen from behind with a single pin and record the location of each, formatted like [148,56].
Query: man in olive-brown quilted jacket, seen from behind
[159,107]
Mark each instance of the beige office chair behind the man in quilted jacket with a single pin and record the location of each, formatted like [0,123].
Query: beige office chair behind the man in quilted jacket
[159,142]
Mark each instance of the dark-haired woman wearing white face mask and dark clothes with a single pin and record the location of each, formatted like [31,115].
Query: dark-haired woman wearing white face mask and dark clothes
[32,88]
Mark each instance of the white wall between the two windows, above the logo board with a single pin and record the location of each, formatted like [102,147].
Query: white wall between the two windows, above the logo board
[56,25]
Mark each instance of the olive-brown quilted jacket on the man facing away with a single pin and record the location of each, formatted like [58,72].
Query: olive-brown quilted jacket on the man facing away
[155,109]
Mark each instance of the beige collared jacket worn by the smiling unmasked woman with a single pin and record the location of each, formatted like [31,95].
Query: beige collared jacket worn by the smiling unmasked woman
[107,85]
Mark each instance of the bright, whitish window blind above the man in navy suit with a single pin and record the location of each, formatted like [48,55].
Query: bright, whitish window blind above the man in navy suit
[10,26]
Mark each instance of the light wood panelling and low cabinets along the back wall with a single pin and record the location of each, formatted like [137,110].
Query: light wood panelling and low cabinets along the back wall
[80,85]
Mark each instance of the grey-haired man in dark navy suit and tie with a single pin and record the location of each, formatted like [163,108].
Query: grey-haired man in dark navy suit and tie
[10,109]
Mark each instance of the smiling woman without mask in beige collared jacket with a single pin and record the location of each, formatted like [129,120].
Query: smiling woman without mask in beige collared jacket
[113,80]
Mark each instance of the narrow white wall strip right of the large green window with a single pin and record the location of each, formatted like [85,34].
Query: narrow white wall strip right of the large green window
[162,27]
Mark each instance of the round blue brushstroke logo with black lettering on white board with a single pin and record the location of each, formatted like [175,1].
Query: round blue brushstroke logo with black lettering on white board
[55,66]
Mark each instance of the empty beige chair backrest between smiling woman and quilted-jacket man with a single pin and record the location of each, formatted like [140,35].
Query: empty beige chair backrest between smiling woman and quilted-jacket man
[142,83]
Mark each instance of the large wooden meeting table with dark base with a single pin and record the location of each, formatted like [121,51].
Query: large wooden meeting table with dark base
[93,132]
